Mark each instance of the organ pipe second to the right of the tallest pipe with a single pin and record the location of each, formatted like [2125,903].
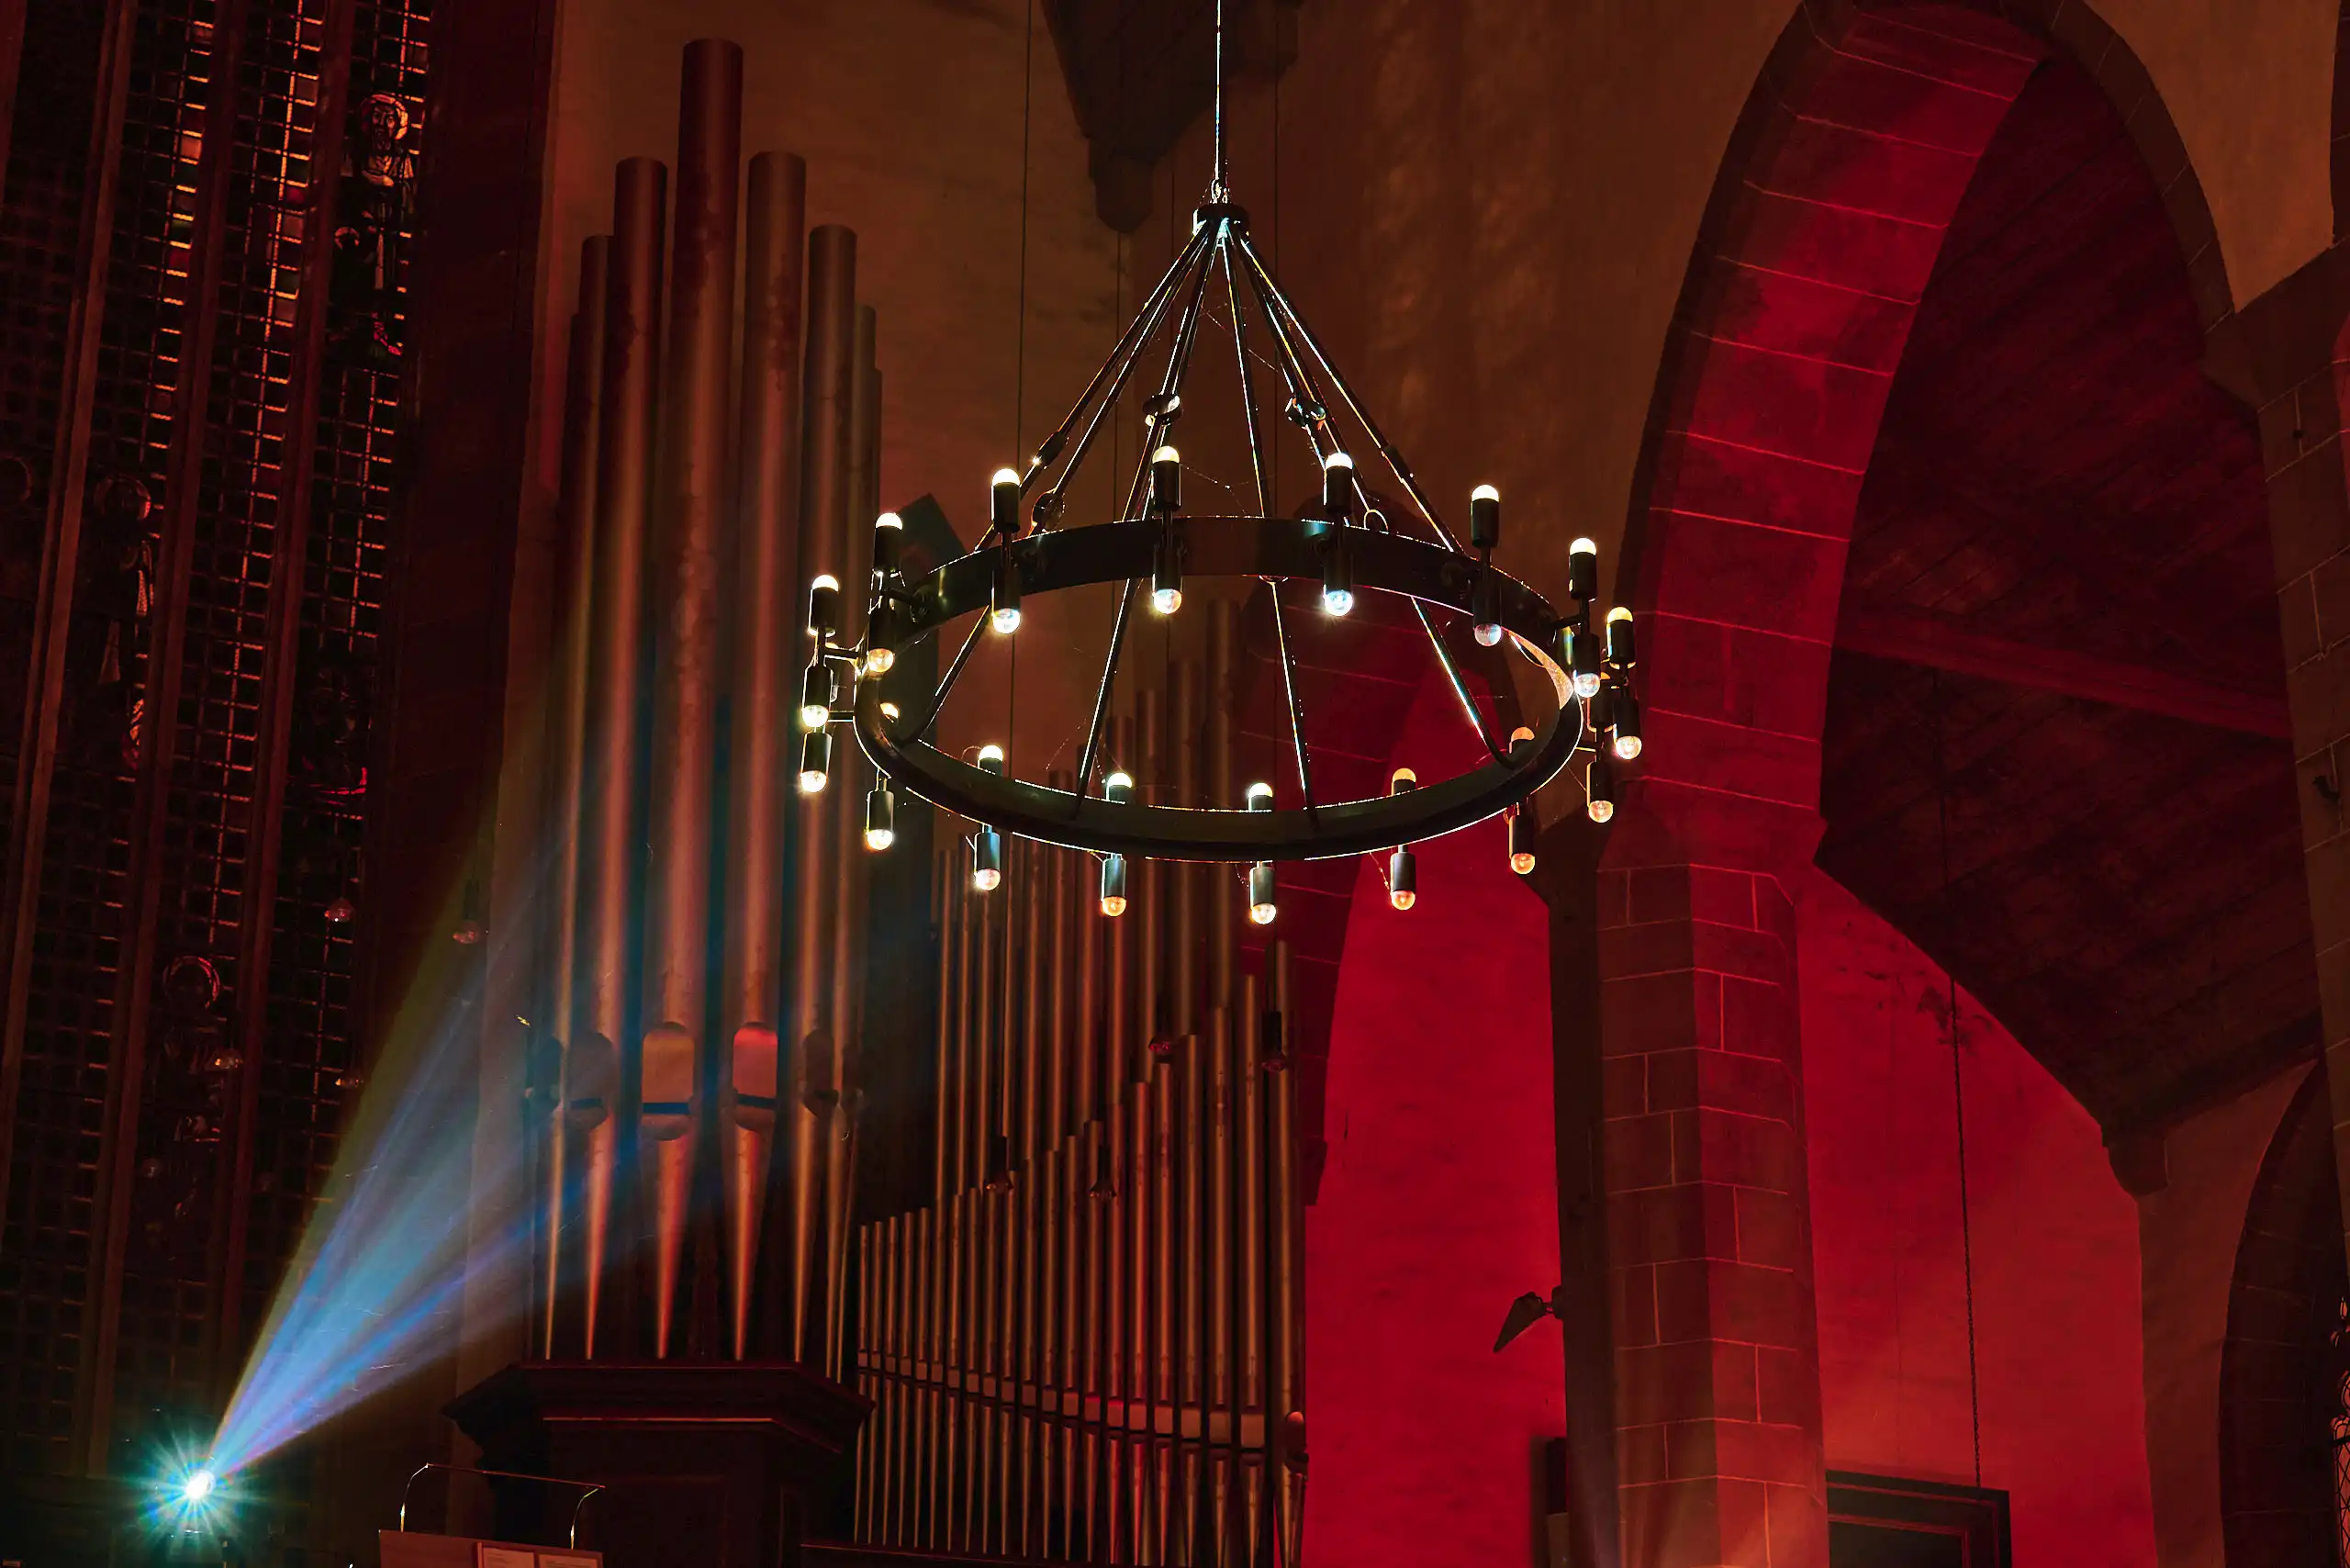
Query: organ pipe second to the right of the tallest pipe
[817,862]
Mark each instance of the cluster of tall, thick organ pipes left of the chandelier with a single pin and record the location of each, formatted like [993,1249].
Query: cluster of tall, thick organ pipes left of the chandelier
[711,448]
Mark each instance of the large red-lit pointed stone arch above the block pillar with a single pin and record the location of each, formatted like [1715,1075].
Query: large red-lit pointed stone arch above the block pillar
[1822,232]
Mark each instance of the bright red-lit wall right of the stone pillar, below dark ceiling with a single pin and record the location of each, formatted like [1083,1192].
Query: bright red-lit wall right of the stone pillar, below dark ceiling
[2055,1252]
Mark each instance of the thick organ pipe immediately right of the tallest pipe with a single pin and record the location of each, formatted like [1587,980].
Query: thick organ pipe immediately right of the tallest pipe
[767,648]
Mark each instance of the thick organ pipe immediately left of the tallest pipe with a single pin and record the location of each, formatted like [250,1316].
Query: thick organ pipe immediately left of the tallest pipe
[615,706]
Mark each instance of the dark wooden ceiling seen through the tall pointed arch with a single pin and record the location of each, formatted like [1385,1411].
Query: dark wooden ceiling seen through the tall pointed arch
[2055,746]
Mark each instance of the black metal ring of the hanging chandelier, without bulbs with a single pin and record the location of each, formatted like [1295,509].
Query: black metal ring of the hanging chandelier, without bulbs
[1256,549]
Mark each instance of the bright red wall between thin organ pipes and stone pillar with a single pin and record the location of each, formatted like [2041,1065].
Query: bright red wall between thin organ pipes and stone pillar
[1437,1207]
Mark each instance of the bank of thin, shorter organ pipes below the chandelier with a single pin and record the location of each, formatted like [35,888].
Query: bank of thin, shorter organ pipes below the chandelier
[1115,1358]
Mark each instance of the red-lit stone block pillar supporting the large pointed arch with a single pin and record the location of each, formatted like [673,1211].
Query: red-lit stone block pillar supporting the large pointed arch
[1710,1235]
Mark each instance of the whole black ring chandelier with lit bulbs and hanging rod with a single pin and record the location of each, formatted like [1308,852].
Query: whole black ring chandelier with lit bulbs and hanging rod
[1343,544]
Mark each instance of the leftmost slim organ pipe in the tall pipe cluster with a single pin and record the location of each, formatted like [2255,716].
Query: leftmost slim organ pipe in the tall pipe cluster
[584,410]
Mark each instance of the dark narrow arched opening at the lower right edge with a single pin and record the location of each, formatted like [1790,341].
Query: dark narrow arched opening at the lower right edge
[2278,1362]
